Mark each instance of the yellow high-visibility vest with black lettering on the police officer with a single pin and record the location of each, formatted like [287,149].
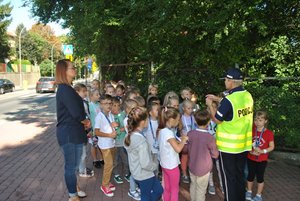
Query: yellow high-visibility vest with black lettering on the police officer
[235,136]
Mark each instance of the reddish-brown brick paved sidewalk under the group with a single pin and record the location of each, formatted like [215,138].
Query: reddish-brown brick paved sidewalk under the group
[34,171]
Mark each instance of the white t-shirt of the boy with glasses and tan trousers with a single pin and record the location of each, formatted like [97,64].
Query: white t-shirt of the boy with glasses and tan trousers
[103,124]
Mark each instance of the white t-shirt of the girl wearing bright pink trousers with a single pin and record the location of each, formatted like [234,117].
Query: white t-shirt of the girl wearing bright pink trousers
[169,158]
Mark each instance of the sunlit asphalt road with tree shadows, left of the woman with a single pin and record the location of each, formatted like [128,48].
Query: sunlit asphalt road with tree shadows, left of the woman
[23,115]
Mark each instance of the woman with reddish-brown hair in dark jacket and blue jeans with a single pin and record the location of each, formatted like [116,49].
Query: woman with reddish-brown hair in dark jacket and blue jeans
[71,124]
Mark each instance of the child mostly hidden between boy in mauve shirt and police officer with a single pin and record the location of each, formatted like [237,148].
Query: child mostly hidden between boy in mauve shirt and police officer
[212,126]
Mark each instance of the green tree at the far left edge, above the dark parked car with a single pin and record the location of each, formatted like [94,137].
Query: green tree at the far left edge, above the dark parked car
[4,23]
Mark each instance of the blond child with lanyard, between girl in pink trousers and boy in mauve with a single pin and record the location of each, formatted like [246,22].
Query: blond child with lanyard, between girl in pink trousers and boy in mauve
[188,124]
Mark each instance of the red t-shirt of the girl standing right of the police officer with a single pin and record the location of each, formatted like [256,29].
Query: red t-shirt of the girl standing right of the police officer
[264,141]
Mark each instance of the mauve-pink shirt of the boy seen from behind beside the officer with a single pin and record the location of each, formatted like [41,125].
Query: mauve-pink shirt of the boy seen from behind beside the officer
[201,149]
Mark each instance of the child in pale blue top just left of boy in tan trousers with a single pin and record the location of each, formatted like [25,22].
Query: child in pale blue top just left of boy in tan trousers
[94,108]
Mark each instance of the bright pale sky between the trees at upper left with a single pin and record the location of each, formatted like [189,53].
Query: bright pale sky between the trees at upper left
[21,14]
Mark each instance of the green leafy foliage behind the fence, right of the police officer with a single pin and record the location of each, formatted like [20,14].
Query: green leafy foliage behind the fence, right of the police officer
[280,98]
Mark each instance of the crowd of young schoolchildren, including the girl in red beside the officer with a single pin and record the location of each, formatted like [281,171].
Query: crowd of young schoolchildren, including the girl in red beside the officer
[139,139]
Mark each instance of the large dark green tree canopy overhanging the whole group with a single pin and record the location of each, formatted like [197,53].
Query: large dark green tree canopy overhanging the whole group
[192,43]
